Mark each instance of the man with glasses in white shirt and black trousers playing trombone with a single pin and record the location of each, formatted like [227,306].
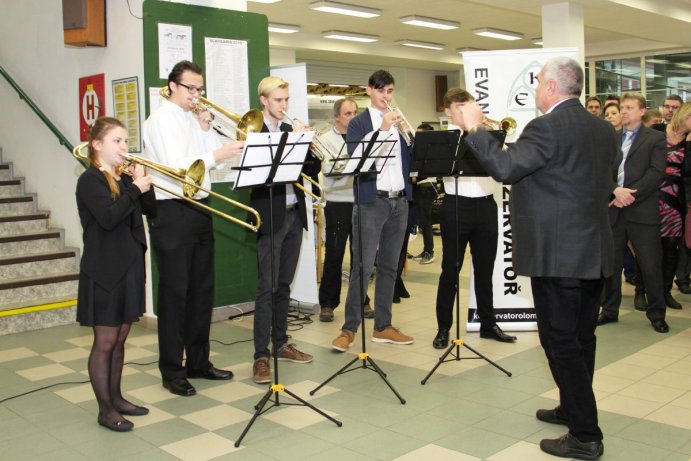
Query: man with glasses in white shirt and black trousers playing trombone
[182,234]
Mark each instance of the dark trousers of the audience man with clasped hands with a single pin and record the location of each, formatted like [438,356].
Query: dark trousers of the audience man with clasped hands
[645,239]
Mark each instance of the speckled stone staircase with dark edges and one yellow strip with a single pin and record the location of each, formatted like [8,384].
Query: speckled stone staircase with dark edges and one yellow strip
[38,275]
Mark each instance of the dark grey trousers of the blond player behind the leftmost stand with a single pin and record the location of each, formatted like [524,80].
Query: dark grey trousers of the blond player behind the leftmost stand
[286,251]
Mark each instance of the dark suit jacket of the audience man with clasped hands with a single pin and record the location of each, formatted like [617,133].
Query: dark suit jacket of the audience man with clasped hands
[644,170]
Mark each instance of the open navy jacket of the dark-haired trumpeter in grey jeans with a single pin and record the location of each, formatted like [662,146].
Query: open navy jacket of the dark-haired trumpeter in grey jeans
[357,129]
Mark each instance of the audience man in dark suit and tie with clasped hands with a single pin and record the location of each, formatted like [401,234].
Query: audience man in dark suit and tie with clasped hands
[634,212]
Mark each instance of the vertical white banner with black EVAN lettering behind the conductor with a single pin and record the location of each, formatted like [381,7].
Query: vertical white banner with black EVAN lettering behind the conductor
[503,83]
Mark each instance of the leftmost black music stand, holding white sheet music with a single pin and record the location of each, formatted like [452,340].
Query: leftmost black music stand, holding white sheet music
[282,166]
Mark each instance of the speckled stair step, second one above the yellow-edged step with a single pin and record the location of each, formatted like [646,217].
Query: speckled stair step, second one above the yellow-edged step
[55,262]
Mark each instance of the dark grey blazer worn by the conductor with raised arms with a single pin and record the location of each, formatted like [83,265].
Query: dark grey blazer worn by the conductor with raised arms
[560,169]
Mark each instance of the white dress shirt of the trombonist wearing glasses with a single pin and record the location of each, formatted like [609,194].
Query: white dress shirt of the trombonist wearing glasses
[173,137]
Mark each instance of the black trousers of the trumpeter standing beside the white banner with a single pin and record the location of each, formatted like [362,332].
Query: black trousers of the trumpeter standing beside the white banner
[477,225]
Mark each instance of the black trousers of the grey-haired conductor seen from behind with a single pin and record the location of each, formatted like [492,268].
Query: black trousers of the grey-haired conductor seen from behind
[566,311]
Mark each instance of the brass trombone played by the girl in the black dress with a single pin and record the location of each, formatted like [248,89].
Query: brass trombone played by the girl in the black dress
[190,179]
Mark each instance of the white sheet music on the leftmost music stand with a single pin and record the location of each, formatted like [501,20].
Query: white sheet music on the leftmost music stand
[258,154]
